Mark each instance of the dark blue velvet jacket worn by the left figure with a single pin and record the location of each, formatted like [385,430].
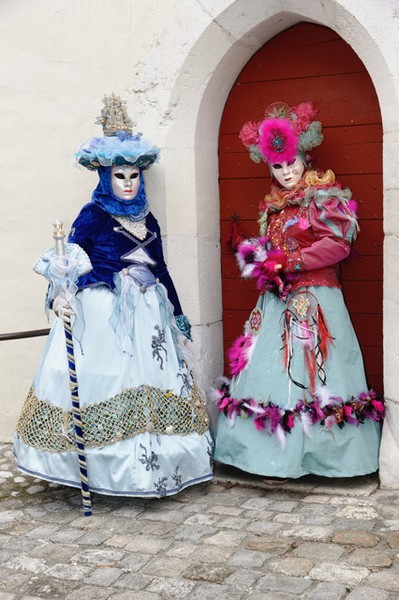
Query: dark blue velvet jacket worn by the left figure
[107,242]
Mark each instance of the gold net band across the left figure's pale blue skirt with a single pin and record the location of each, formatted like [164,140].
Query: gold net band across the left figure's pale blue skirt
[133,411]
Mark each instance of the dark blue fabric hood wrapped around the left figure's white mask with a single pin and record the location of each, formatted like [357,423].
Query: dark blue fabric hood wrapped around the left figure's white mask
[105,198]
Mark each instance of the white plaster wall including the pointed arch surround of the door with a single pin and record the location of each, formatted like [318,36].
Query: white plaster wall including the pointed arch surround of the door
[175,62]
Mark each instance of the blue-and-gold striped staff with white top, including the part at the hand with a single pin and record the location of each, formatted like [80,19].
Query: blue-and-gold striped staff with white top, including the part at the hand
[66,264]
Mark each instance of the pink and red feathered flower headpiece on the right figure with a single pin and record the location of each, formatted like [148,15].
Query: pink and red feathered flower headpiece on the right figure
[284,132]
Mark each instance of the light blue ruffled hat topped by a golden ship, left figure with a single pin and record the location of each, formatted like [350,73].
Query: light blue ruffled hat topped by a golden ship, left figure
[118,146]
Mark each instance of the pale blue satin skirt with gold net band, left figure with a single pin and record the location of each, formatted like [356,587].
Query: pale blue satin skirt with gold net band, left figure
[146,429]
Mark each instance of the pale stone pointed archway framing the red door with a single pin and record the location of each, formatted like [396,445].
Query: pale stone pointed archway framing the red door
[195,110]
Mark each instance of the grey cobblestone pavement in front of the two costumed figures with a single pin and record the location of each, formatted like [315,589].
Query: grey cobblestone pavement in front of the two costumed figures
[234,538]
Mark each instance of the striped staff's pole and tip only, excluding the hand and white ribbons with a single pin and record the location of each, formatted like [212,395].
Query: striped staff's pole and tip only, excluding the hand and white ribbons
[59,235]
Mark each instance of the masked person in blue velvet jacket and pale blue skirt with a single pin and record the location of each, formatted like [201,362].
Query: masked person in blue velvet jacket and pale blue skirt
[145,424]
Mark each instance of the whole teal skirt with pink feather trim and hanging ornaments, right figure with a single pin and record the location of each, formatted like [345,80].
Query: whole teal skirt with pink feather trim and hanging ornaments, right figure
[278,375]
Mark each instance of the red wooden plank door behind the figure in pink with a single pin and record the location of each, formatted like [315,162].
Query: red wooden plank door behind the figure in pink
[310,62]
